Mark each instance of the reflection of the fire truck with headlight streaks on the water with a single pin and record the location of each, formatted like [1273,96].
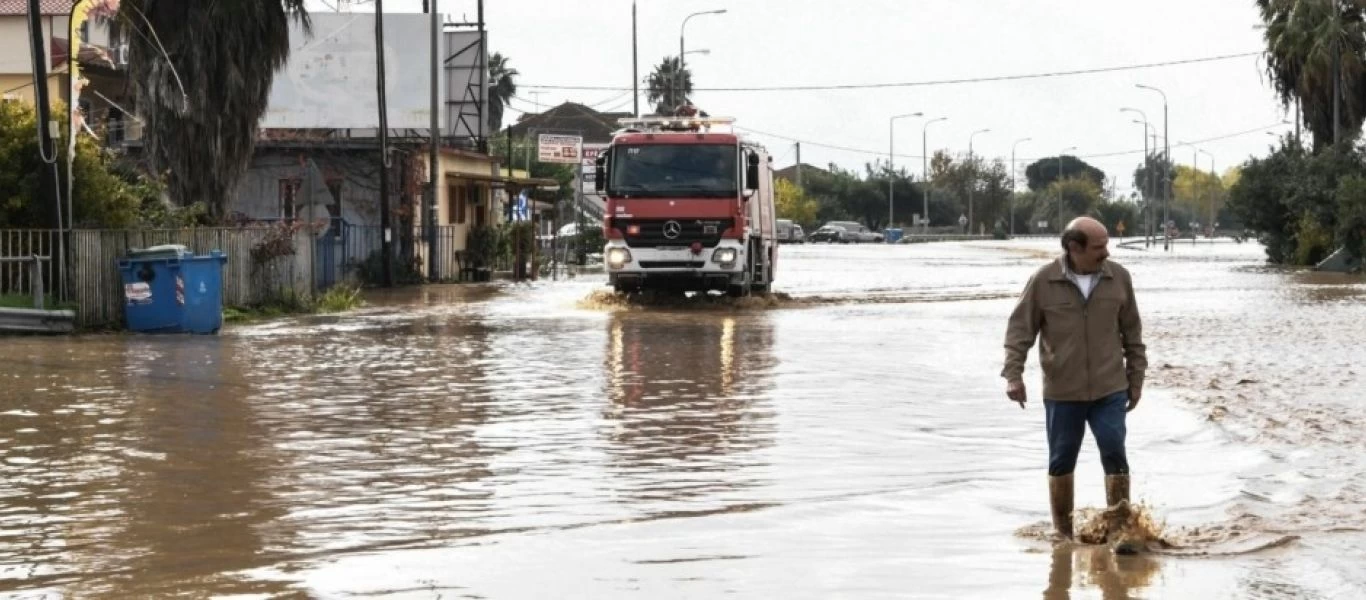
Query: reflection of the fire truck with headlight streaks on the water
[688,398]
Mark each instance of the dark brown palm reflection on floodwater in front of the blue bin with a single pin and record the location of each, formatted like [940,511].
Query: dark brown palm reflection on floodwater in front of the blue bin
[193,489]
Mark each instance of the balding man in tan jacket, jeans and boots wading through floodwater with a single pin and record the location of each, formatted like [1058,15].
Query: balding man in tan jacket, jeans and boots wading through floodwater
[1083,310]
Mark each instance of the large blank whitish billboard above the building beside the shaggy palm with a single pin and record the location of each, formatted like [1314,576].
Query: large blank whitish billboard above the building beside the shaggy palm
[330,80]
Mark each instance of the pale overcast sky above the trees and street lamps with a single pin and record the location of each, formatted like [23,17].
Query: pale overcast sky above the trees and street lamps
[1225,107]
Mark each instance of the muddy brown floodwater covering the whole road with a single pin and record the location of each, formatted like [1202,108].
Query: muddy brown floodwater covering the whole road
[853,441]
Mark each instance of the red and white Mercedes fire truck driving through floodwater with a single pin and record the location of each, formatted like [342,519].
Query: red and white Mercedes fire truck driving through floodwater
[689,207]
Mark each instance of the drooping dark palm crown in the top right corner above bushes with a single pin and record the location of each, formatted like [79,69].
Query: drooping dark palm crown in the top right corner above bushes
[1307,43]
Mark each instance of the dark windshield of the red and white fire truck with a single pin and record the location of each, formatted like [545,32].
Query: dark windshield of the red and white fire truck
[667,170]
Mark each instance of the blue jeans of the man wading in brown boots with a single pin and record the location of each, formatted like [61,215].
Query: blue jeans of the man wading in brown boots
[1068,428]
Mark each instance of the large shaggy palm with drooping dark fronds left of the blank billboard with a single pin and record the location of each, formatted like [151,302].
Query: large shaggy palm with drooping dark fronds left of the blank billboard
[226,54]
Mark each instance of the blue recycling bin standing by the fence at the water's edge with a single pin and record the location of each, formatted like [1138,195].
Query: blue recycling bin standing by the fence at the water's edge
[171,290]
